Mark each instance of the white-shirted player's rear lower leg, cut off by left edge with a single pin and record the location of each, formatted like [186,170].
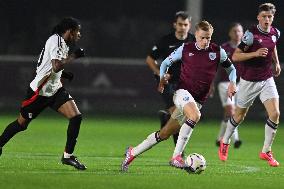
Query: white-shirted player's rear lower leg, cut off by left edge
[12,129]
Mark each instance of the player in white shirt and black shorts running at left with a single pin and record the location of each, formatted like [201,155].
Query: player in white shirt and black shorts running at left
[46,89]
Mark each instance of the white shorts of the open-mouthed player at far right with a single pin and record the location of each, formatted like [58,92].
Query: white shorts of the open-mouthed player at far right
[248,91]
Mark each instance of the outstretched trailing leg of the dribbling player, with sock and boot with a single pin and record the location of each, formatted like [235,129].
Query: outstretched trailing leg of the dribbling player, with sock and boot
[154,138]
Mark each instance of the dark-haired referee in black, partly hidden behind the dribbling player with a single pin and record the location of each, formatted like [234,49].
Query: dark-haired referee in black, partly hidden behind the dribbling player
[161,50]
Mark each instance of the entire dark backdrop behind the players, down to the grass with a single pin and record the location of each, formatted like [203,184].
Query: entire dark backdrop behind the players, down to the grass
[117,35]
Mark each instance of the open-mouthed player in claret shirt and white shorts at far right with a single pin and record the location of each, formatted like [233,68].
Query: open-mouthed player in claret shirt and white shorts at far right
[257,51]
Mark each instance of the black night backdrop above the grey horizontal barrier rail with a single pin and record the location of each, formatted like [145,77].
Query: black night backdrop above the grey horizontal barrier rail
[115,28]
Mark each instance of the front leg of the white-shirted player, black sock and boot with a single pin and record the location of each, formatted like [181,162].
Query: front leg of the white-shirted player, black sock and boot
[71,112]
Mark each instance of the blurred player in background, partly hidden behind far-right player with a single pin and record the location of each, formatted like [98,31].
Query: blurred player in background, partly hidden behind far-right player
[235,34]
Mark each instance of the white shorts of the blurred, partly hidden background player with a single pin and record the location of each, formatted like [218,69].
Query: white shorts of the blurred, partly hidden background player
[225,100]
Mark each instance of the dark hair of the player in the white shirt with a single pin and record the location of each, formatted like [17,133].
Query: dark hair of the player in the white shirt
[66,24]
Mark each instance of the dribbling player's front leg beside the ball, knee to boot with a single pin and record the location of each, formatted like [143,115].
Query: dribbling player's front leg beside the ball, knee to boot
[192,114]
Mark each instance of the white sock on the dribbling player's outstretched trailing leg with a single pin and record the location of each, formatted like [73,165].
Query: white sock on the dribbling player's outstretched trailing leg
[148,143]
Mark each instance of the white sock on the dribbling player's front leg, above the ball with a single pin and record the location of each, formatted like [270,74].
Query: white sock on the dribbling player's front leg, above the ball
[184,135]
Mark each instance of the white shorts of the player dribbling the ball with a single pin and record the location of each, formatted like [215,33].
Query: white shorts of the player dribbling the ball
[181,98]
